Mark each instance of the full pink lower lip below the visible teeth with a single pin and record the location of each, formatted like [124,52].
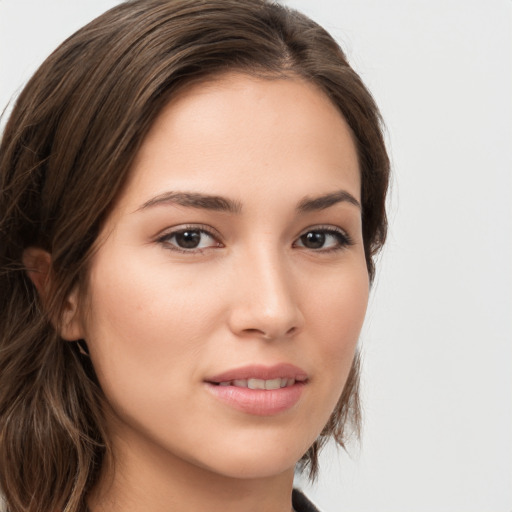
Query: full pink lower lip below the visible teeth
[259,402]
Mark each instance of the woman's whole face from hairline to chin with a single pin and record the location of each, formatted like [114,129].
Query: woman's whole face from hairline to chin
[233,260]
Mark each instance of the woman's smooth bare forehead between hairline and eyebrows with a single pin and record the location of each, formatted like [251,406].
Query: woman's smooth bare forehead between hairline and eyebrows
[238,133]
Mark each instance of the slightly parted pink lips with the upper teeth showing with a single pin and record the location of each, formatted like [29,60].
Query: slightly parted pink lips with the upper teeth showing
[259,390]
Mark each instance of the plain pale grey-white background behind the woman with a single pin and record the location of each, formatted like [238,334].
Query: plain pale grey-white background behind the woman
[438,341]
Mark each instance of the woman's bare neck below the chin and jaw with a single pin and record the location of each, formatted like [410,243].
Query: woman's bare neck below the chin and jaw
[145,478]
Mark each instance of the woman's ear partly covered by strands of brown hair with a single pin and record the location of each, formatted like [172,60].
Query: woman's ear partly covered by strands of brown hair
[37,264]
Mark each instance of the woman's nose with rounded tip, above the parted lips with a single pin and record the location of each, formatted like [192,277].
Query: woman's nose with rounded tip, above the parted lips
[267,301]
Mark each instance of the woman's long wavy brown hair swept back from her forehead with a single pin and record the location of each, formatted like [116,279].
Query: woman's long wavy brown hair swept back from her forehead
[65,154]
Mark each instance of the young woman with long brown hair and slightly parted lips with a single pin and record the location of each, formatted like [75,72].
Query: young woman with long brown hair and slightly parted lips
[192,195]
